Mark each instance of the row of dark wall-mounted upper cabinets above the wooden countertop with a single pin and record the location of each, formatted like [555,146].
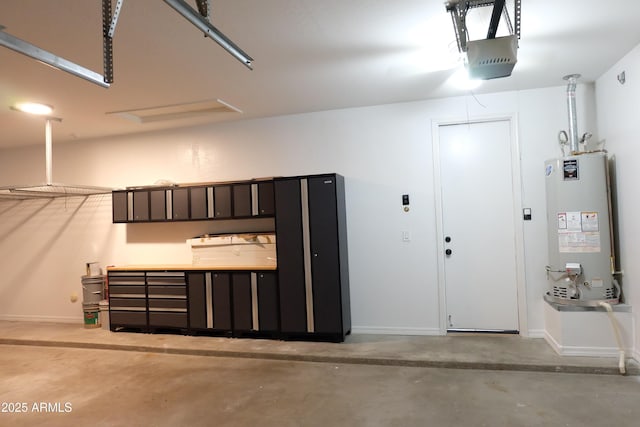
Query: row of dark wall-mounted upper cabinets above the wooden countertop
[246,199]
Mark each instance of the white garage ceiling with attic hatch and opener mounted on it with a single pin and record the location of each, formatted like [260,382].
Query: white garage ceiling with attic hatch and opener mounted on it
[310,55]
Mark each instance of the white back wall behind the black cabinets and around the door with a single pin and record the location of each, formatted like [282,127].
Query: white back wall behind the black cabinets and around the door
[383,152]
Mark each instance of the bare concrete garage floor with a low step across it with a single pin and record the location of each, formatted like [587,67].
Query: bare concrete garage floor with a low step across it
[99,378]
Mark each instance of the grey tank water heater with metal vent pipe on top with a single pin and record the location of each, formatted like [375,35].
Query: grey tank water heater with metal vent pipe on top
[581,265]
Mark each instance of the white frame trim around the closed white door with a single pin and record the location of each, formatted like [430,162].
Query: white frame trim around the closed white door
[516,177]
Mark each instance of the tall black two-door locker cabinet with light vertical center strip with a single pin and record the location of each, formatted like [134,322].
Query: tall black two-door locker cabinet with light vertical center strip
[313,272]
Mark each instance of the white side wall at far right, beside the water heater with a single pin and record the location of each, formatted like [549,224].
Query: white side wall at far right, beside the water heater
[619,124]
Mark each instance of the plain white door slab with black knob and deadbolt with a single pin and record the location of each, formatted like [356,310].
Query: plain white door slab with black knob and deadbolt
[479,226]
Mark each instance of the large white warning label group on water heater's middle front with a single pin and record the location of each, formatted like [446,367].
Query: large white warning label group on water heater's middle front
[578,232]
